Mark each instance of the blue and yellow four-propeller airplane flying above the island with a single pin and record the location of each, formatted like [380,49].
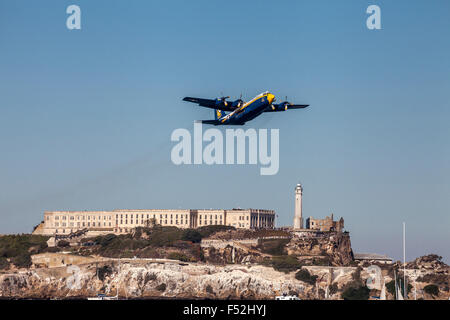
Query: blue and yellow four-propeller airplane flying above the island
[240,111]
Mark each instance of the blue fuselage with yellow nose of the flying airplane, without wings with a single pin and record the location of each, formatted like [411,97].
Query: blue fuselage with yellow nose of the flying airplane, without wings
[248,110]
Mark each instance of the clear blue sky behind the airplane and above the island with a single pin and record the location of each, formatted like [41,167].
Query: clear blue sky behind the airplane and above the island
[86,115]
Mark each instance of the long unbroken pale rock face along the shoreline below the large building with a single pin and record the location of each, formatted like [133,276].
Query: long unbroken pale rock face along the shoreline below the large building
[146,279]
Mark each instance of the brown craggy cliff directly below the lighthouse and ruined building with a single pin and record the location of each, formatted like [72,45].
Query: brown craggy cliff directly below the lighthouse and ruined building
[335,247]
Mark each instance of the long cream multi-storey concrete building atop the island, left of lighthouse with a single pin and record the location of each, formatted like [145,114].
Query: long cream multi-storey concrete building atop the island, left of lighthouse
[123,221]
